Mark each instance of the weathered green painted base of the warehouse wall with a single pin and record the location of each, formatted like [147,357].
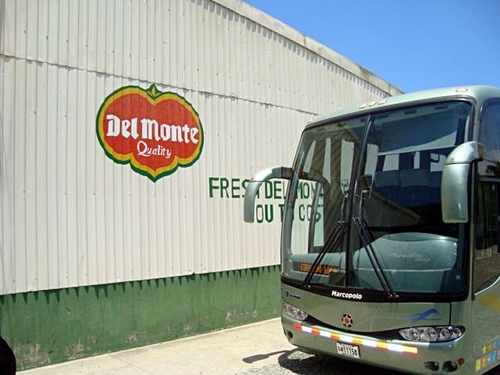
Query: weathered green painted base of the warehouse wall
[54,326]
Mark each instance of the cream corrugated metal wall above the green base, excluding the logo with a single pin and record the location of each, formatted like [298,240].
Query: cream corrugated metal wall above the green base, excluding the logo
[70,216]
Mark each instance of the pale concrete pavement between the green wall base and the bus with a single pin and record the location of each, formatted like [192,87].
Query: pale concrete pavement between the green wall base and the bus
[223,352]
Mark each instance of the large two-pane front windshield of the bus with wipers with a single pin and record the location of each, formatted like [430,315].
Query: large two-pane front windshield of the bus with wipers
[363,208]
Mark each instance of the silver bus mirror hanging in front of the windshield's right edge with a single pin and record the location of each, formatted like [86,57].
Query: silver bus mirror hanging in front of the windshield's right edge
[454,187]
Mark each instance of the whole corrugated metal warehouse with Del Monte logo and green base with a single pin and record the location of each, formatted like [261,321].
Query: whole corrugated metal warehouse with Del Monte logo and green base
[128,132]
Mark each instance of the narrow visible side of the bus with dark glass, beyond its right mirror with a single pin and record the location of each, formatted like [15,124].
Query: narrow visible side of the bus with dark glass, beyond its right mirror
[486,256]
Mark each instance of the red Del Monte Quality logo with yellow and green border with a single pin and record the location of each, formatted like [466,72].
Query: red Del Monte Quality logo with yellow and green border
[156,132]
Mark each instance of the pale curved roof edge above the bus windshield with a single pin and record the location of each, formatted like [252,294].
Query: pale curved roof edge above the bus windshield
[479,93]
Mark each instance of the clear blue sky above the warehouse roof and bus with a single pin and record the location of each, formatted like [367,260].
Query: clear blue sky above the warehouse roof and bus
[412,44]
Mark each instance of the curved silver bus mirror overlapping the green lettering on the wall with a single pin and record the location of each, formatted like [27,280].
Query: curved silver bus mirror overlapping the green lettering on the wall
[253,186]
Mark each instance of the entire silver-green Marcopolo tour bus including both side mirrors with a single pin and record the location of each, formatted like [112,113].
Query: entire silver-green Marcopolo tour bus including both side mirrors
[396,263]
